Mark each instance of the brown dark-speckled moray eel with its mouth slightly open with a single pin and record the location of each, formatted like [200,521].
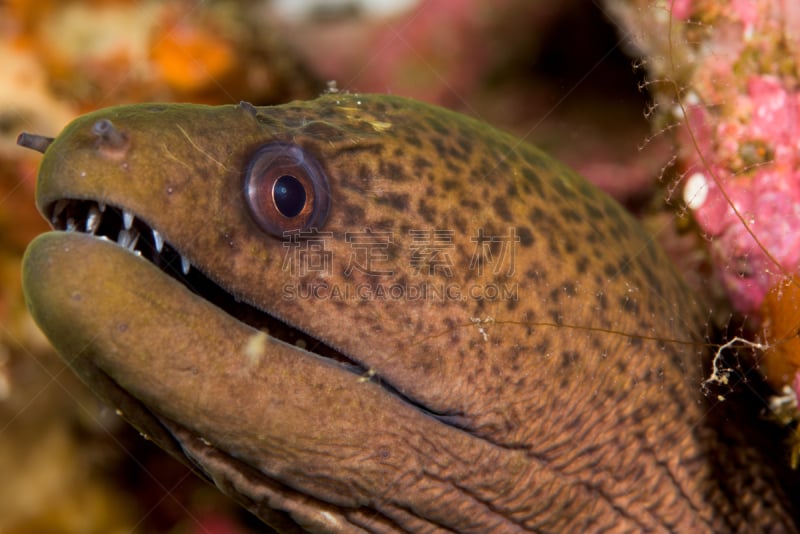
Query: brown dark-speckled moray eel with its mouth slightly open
[365,313]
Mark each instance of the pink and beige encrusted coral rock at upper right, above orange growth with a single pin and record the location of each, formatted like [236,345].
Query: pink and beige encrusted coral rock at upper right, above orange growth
[729,72]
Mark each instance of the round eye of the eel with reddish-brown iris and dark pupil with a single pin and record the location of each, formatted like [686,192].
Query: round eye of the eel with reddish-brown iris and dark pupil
[286,189]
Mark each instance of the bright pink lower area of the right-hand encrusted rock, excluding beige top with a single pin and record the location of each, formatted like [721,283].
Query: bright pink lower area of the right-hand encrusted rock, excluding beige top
[755,158]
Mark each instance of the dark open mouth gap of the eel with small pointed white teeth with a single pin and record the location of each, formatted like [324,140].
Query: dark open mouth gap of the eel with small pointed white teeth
[122,227]
